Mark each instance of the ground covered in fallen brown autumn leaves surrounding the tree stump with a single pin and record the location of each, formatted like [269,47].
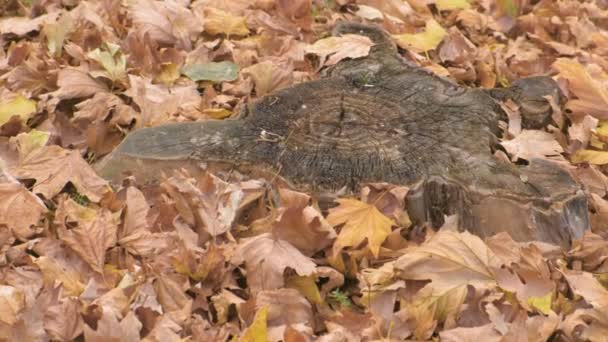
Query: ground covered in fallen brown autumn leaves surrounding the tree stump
[199,258]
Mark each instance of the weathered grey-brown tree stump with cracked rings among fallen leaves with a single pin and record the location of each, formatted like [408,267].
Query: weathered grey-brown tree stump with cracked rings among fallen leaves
[379,118]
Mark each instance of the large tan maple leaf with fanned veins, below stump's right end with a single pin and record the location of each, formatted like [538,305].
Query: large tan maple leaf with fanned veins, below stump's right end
[450,259]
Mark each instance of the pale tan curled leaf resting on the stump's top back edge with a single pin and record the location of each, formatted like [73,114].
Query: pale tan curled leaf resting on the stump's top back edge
[339,48]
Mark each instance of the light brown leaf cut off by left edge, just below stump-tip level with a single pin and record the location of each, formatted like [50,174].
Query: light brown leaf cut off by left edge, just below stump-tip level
[20,210]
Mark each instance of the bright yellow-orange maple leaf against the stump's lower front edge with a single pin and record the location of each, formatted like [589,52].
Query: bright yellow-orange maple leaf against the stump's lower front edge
[362,221]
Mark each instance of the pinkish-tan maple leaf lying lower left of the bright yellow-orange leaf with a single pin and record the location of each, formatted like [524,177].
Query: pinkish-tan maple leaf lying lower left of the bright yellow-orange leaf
[266,257]
